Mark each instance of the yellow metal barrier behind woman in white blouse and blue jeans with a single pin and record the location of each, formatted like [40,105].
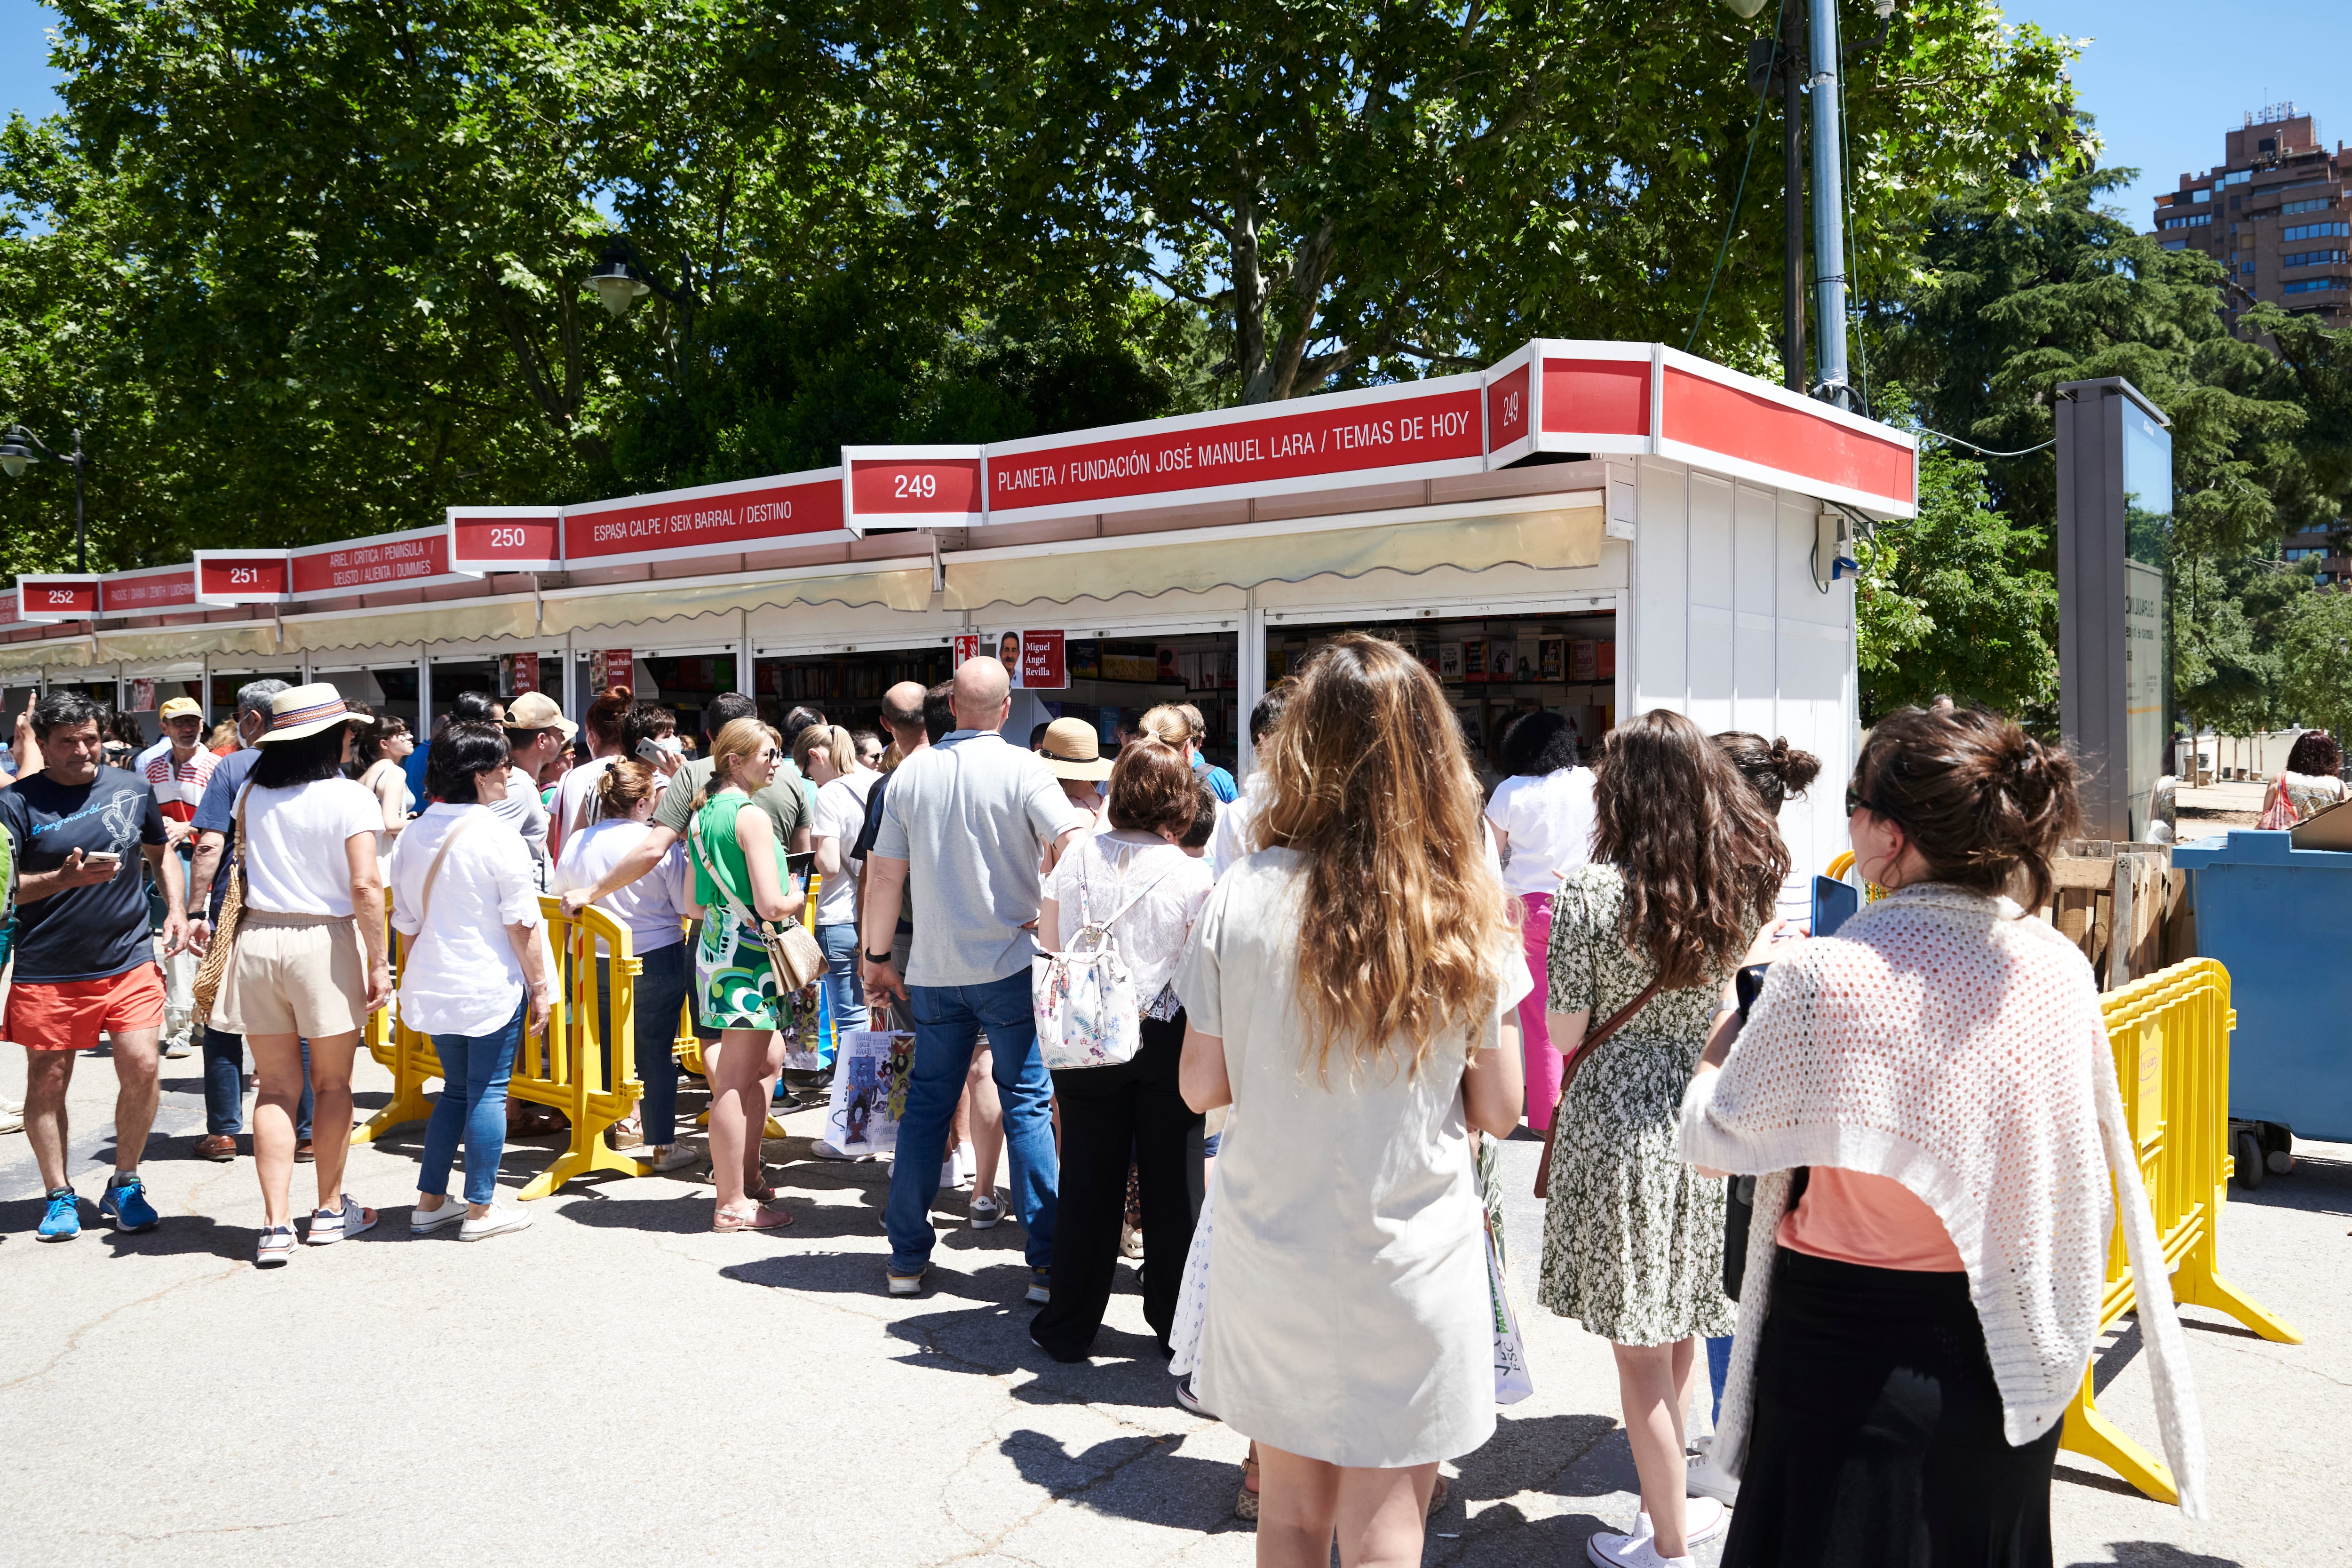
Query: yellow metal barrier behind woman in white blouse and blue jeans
[559,1066]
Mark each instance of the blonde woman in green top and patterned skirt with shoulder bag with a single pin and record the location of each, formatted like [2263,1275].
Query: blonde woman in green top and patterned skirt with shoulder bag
[740,873]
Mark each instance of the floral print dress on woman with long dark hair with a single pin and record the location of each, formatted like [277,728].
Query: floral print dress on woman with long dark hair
[1633,1238]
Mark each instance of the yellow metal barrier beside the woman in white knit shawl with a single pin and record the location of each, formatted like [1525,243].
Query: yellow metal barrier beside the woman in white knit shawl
[2172,1061]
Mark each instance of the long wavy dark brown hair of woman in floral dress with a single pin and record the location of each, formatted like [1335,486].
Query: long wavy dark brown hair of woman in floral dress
[1702,857]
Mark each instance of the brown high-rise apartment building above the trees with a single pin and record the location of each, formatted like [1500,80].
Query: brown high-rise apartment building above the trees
[2276,217]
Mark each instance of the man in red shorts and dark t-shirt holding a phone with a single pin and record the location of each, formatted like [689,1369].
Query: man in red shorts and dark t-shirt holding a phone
[86,963]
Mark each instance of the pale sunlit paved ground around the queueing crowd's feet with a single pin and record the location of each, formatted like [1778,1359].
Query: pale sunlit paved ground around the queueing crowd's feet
[624,1386]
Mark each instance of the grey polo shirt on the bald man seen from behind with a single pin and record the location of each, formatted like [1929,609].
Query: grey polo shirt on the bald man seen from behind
[973,817]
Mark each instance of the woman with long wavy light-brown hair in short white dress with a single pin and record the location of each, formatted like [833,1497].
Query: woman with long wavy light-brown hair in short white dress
[1351,996]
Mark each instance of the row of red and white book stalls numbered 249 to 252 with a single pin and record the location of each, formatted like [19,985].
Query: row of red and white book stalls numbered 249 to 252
[1584,528]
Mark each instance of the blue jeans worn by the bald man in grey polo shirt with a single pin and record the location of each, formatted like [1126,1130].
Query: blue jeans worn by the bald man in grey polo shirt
[949,1021]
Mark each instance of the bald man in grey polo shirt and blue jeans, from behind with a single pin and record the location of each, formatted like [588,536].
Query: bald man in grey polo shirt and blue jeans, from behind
[963,824]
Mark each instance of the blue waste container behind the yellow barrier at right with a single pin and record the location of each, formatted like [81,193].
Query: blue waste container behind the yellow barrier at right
[2280,920]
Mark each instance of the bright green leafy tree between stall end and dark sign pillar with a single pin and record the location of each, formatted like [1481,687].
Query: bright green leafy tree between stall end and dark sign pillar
[1953,603]
